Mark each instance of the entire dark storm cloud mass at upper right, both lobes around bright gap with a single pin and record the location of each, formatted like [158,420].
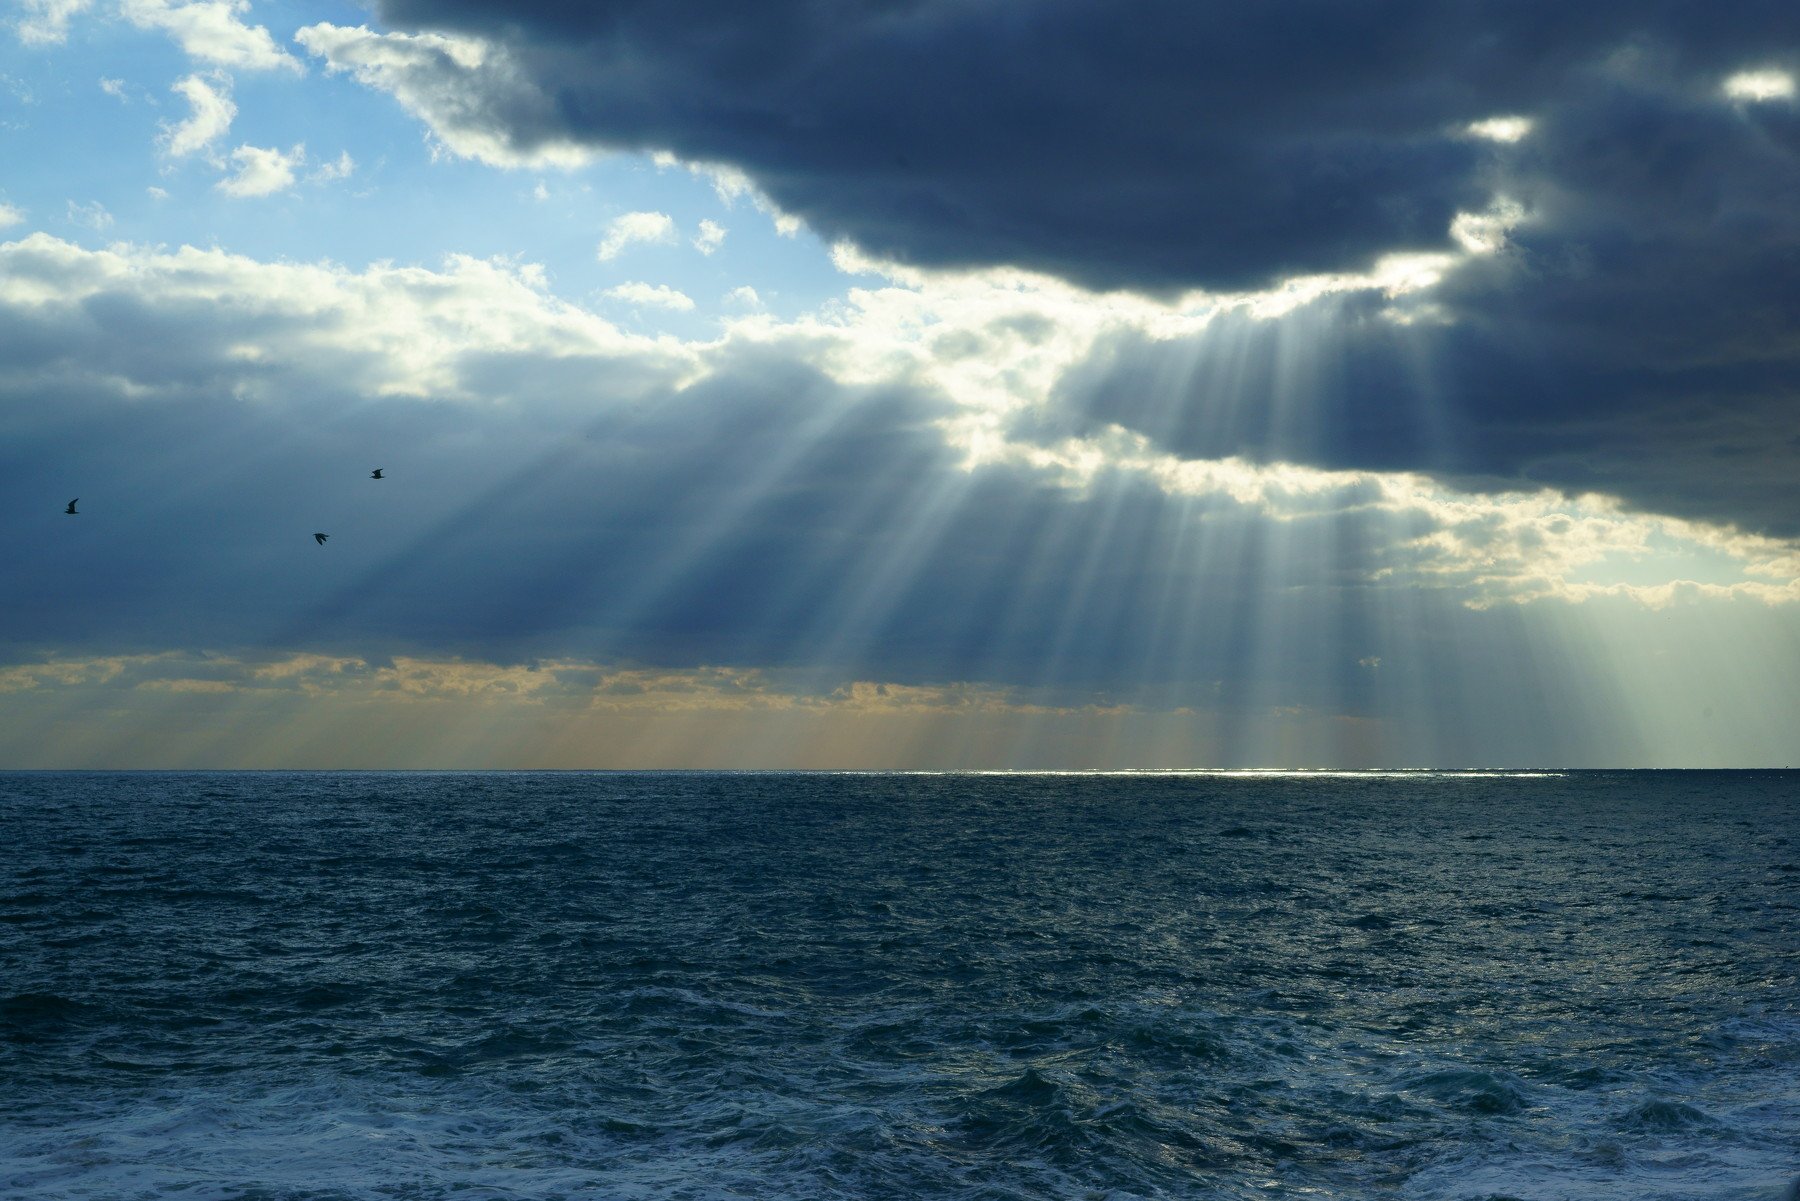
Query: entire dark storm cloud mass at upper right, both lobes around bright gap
[1637,336]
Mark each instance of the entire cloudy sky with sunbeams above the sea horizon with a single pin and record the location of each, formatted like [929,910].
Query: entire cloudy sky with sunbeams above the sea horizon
[908,384]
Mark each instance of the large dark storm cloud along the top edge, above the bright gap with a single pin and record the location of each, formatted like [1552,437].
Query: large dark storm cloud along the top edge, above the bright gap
[1146,145]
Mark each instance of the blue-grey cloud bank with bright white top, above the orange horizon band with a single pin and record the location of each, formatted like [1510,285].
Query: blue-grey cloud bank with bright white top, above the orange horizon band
[764,498]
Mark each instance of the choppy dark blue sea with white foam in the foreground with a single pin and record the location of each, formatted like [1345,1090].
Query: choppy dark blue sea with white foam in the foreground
[800,986]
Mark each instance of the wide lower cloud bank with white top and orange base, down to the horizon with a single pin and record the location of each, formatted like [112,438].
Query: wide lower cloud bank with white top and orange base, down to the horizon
[791,510]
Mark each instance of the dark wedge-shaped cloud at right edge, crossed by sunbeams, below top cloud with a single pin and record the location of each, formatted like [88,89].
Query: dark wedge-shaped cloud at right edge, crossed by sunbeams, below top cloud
[1641,334]
